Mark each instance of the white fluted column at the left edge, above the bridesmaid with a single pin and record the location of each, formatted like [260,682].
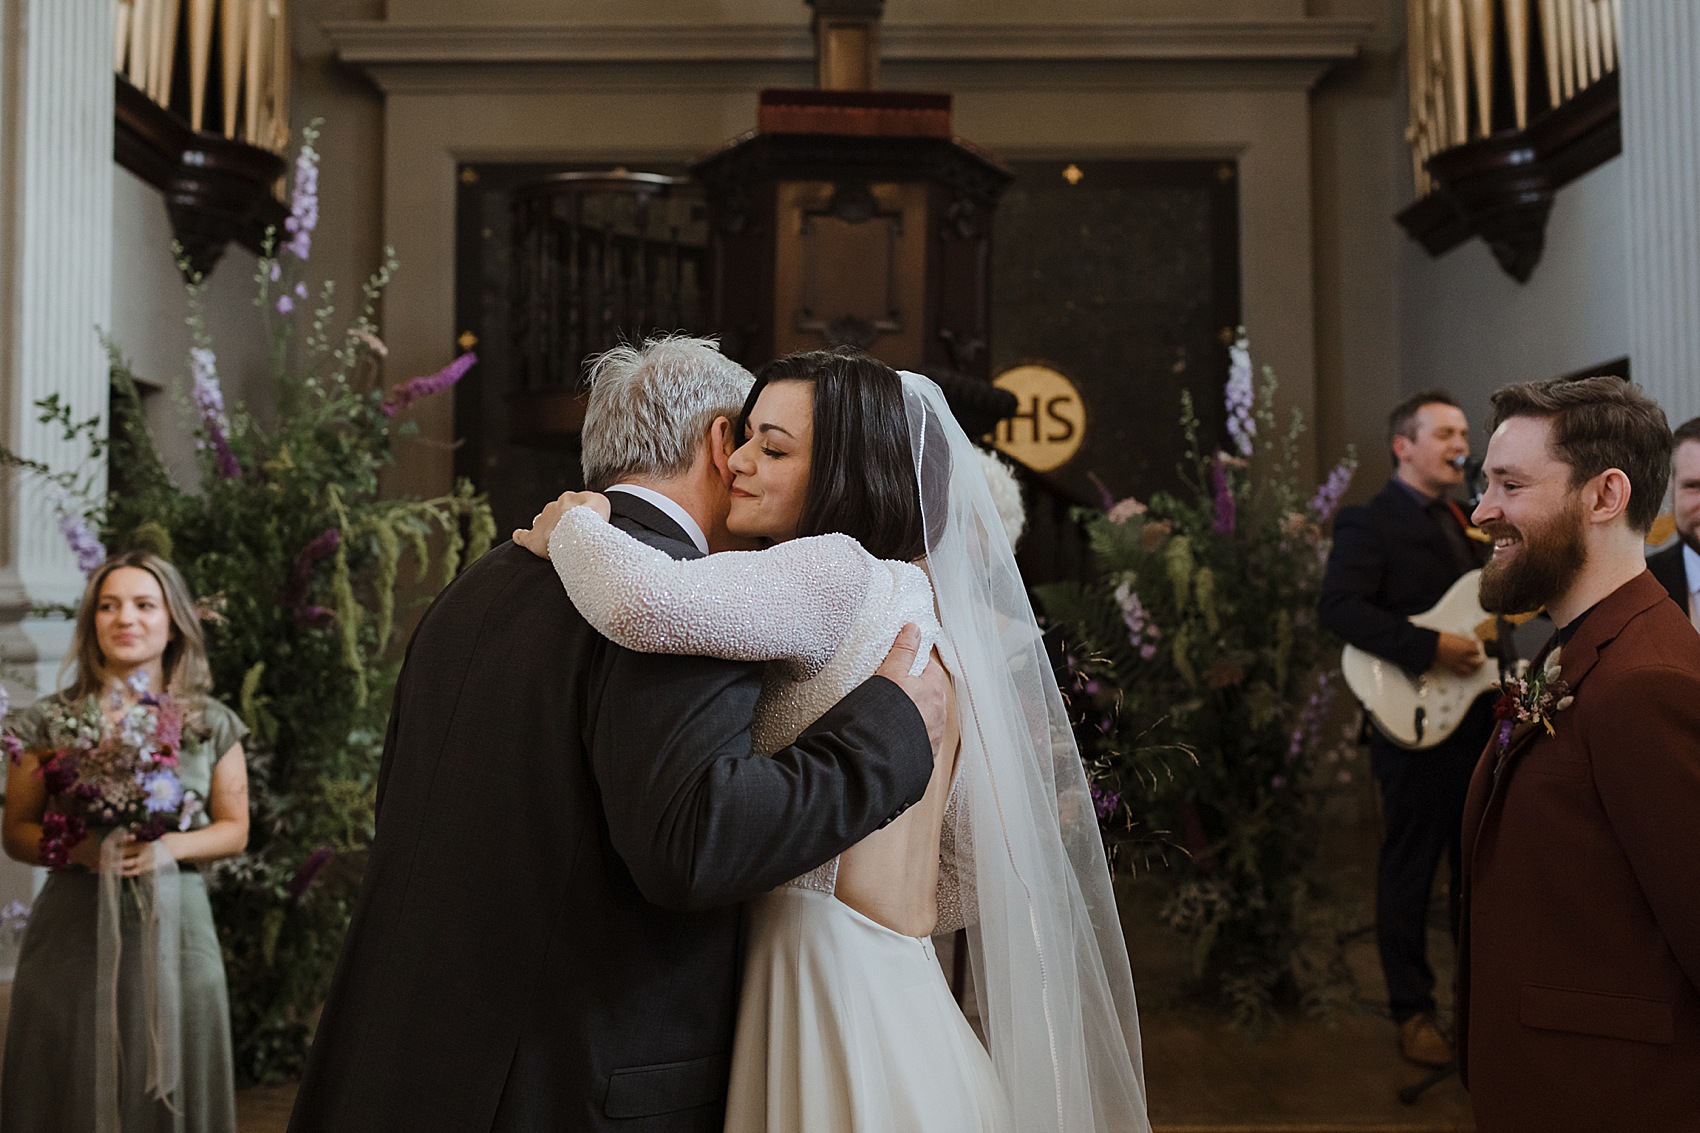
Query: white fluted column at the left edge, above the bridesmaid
[55,288]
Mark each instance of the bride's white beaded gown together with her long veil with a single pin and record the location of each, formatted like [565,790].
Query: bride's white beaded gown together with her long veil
[847,1027]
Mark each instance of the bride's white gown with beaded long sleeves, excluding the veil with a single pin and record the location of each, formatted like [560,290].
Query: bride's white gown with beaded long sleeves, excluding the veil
[846,1025]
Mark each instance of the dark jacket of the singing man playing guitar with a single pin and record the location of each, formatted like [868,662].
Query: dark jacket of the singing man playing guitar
[1390,562]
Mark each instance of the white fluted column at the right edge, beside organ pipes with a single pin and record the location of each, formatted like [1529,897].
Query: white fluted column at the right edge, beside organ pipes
[1662,156]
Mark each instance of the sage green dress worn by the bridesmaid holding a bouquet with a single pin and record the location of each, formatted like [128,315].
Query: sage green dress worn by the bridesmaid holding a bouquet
[48,1085]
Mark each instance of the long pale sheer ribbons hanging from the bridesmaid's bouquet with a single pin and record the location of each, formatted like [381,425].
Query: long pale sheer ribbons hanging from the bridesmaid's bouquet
[159,904]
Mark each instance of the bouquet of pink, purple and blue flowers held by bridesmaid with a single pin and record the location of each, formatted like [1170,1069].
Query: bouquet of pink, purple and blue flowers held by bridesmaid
[120,775]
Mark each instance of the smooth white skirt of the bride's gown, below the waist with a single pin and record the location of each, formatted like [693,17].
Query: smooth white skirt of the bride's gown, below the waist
[847,1027]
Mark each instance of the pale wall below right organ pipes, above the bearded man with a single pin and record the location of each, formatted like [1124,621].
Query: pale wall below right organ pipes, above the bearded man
[1468,327]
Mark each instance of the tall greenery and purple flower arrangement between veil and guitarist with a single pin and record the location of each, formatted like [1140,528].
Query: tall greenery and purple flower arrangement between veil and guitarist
[1201,688]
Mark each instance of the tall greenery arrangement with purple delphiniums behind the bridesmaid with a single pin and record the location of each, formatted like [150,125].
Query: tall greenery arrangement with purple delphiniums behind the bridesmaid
[298,566]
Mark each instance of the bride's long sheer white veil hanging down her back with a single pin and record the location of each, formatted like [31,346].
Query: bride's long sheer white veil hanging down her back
[1046,948]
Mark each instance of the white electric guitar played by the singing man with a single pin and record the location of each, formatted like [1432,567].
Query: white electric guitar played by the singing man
[1422,712]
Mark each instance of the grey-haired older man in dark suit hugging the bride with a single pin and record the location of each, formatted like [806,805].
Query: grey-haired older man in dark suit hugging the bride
[548,930]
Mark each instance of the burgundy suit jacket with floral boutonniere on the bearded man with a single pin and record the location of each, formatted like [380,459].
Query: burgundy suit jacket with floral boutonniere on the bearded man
[1580,954]
